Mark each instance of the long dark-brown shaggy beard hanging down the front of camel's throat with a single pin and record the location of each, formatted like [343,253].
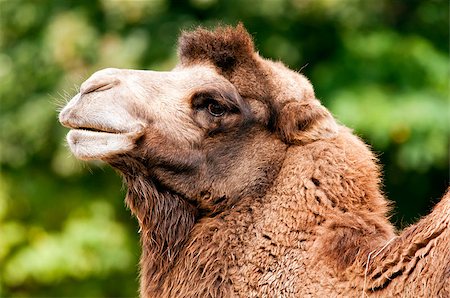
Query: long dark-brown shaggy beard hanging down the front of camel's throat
[165,221]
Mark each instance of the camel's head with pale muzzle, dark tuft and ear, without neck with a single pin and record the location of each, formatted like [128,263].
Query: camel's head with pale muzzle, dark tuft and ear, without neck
[213,129]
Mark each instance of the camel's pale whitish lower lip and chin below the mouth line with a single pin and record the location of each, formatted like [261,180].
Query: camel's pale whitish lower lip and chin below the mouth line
[89,145]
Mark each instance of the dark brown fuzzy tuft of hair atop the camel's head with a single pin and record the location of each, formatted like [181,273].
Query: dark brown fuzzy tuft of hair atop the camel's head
[226,47]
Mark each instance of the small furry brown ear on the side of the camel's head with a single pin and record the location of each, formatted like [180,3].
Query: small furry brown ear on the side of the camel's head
[302,122]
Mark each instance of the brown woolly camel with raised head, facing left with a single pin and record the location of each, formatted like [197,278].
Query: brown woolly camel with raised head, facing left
[244,184]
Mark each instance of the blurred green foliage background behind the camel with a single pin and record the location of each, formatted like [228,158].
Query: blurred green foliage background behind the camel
[381,67]
